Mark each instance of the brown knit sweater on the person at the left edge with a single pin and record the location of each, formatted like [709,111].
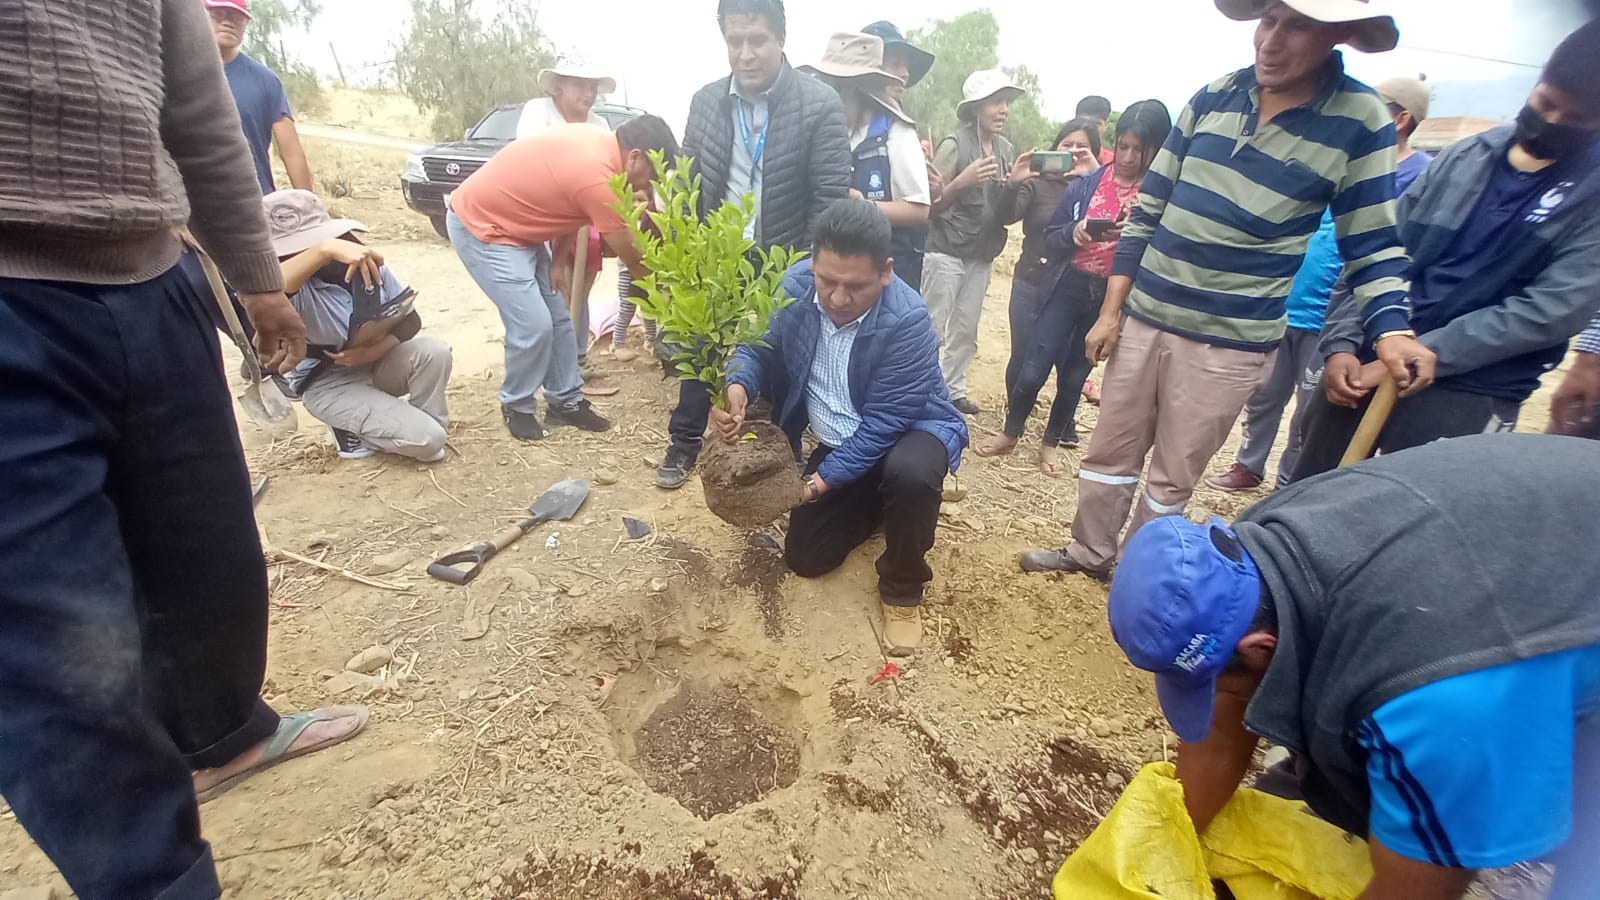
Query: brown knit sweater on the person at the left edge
[116,126]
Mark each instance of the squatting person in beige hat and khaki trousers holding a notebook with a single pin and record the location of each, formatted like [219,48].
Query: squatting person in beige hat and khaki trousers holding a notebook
[369,374]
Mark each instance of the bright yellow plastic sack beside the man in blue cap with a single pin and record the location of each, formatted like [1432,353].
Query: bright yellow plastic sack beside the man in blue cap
[1263,848]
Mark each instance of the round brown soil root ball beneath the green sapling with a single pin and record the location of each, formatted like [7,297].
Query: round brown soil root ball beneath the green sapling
[751,483]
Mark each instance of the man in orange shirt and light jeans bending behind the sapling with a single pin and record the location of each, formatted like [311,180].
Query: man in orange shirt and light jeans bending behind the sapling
[537,191]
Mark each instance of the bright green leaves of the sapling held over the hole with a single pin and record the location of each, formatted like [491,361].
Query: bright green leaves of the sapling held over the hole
[703,291]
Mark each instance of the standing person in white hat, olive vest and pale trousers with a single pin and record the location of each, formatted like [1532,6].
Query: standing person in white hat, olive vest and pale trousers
[982,174]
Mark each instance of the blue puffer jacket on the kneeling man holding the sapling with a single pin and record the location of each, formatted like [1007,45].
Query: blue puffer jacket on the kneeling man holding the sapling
[895,380]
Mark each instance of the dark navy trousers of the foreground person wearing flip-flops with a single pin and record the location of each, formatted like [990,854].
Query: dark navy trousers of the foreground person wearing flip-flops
[134,609]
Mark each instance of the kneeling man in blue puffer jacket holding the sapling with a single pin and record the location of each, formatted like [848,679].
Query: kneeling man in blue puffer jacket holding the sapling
[857,361]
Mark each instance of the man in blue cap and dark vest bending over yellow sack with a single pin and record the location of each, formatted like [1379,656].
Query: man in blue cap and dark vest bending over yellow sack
[1428,653]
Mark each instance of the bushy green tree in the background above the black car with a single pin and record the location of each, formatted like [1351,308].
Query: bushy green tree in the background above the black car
[458,65]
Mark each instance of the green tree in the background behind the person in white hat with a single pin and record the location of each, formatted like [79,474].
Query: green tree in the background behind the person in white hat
[964,46]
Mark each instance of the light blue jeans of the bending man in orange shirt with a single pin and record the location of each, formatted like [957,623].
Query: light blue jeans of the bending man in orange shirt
[542,348]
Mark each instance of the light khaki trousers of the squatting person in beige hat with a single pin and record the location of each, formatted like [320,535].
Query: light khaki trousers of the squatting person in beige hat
[367,400]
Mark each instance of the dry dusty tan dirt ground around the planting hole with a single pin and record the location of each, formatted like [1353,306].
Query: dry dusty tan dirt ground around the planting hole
[660,718]
